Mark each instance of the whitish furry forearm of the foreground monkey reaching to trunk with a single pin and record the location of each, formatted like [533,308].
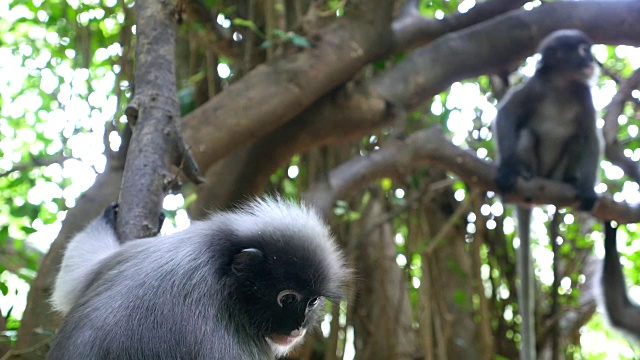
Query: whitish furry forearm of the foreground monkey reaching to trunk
[83,256]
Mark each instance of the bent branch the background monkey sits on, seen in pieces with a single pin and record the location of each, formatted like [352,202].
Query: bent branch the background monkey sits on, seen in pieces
[429,147]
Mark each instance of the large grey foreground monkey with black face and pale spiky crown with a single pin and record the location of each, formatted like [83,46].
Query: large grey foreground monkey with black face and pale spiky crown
[246,284]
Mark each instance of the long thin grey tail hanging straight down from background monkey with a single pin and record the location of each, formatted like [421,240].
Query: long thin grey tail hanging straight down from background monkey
[526,288]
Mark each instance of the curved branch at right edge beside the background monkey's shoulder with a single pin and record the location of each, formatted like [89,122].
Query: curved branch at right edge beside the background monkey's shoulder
[614,150]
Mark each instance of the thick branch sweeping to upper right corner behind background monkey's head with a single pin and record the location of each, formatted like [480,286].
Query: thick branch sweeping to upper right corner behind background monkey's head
[354,111]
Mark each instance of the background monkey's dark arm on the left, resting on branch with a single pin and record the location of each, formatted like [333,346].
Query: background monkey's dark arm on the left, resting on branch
[510,119]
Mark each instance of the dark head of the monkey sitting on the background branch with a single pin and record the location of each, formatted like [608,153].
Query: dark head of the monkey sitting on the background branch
[567,52]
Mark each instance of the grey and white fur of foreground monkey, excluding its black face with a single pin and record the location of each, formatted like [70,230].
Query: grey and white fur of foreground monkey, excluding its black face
[170,297]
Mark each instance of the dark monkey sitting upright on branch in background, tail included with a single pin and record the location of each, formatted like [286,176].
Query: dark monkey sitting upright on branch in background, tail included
[547,128]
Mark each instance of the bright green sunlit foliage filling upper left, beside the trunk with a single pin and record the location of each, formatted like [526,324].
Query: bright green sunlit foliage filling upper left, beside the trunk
[61,86]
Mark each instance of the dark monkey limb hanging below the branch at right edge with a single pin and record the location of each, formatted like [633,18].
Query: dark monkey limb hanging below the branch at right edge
[622,313]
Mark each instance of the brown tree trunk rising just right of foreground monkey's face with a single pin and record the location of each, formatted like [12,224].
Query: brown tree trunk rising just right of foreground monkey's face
[383,317]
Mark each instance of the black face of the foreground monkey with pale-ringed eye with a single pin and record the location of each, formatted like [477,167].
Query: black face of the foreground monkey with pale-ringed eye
[282,291]
